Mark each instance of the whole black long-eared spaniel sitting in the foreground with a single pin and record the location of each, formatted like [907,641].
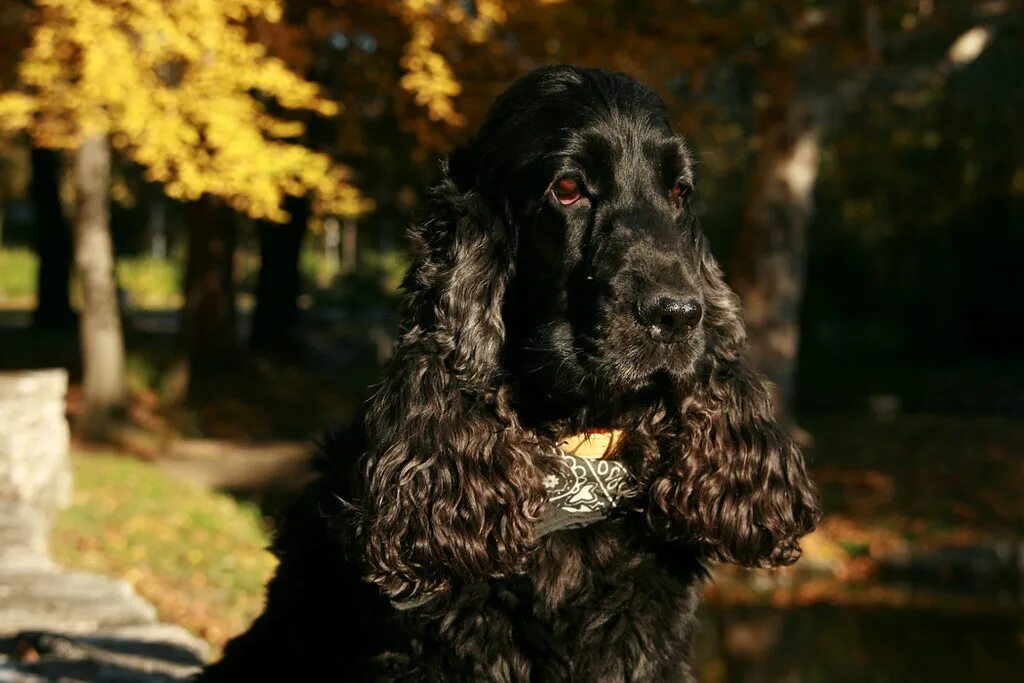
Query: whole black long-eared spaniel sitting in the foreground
[563,286]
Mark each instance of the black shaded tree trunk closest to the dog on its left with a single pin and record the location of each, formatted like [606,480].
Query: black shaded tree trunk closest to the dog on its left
[277,317]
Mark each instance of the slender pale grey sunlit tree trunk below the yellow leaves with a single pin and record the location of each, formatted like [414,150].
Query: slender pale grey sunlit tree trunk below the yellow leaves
[100,322]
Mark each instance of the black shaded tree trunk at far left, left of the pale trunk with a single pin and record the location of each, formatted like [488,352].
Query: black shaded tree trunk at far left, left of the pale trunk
[53,242]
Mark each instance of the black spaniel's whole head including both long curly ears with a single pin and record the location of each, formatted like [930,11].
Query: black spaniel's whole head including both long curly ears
[563,279]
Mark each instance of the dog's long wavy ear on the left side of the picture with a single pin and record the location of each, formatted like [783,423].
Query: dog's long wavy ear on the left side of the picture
[450,488]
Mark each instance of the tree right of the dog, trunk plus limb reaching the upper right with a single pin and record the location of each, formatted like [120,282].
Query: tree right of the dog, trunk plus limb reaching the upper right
[817,62]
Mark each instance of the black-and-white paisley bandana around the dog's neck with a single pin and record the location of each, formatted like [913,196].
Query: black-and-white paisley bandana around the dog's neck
[585,492]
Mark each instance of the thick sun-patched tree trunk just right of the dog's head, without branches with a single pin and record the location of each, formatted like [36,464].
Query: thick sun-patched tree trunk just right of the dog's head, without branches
[770,264]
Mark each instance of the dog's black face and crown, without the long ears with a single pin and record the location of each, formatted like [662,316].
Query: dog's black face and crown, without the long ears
[610,291]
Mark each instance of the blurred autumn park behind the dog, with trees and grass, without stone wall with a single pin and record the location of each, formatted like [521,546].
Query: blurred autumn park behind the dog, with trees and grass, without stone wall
[202,217]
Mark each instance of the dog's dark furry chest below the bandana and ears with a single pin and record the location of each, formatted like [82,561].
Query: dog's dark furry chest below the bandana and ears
[591,602]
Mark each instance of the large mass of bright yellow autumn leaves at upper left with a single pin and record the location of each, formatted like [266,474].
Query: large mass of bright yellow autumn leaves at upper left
[182,91]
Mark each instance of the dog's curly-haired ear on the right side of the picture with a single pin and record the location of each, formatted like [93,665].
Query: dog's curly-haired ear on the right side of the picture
[730,479]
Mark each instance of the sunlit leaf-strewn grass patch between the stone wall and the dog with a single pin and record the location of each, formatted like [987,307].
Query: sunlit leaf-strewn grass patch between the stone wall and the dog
[198,556]
